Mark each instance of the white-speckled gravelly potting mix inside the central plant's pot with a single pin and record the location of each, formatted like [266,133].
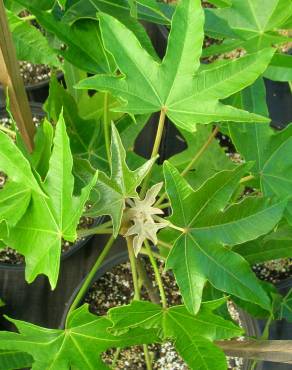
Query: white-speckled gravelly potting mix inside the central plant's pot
[115,288]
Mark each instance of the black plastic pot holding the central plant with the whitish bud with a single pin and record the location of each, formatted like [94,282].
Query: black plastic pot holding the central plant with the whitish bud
[115,258]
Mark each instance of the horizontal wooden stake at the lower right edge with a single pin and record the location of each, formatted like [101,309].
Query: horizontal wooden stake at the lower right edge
[260,350]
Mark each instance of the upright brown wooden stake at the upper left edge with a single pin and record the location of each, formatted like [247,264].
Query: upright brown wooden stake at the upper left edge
[10,77]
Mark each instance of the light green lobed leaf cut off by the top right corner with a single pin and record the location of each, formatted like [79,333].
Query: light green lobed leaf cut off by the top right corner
[254,22]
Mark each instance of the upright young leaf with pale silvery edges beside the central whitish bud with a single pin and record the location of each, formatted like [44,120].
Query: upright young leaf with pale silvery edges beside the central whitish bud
[122,184]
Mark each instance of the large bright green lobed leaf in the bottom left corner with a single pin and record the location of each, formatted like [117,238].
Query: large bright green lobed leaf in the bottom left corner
[79,345]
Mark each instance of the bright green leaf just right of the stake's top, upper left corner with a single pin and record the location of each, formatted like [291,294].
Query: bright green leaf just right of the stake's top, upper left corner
[29,42]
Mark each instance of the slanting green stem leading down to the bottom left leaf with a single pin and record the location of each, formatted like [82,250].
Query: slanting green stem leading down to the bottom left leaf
[90,276]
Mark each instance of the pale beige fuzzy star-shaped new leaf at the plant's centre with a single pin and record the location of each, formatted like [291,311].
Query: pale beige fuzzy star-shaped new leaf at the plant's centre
[145,218]
